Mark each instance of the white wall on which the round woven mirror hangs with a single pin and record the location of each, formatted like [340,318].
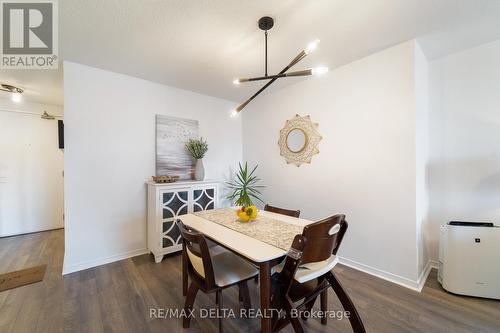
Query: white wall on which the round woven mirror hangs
[366,167]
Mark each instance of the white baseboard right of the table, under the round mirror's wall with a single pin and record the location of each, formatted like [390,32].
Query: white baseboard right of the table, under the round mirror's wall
[416,285]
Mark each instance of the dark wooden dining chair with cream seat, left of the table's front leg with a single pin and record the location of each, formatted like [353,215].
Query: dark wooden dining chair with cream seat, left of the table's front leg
[212,274]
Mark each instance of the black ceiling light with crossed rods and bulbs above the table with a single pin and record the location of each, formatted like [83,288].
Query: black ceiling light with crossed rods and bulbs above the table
[266,23]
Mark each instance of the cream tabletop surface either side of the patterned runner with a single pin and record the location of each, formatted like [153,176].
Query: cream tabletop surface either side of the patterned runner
[249,247]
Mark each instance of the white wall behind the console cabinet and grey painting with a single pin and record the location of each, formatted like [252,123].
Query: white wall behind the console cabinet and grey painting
[110,153]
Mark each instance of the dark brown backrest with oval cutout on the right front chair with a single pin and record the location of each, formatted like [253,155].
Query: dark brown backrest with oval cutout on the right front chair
[323,238]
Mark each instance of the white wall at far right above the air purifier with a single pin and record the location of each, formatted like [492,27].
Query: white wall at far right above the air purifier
[465,138]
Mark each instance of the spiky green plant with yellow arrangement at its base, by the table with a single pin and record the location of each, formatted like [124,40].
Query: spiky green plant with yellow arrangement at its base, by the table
[245,189]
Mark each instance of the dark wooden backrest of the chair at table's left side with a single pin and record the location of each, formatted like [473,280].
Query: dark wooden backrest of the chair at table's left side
[199,260]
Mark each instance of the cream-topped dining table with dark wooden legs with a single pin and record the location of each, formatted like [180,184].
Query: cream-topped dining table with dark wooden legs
[262,254]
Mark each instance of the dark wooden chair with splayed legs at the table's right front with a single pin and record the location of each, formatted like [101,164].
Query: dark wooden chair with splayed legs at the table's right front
[307,273]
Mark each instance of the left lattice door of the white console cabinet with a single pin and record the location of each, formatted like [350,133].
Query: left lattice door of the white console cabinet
[173,204]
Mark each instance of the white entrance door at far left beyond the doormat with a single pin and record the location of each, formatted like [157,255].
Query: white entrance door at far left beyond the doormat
[31,165]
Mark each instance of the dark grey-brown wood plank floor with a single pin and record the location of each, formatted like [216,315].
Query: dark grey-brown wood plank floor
[117,298]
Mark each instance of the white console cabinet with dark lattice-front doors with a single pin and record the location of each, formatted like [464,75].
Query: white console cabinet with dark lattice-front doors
[166,202]
